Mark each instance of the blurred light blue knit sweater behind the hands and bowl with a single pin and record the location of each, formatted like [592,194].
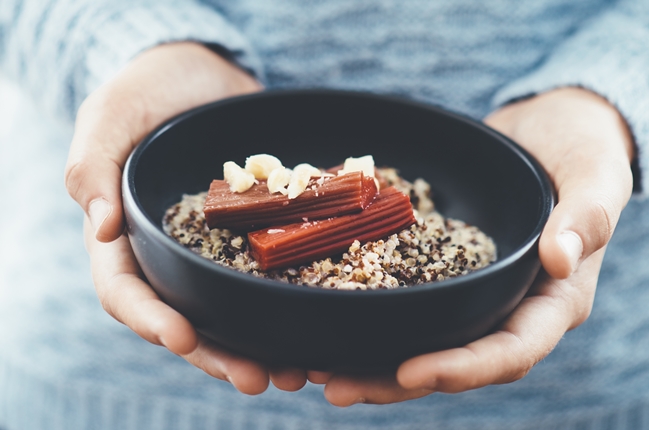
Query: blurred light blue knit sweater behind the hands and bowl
[65,364]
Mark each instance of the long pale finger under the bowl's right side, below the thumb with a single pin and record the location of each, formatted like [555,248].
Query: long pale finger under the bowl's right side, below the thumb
[528,335]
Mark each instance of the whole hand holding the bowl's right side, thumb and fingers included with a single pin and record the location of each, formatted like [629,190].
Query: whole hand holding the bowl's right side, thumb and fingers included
[586,148]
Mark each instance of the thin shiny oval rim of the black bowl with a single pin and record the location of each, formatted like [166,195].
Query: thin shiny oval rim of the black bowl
[144,221]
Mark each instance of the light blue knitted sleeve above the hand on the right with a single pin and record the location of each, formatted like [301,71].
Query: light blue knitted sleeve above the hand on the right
[609,55]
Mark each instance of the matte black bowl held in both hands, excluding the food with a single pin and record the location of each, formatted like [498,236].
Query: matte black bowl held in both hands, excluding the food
[477,175]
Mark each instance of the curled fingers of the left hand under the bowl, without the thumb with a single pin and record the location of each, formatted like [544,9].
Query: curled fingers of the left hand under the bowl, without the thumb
[128,299]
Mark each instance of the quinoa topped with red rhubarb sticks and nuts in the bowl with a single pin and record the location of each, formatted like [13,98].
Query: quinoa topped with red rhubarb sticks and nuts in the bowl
[416,247]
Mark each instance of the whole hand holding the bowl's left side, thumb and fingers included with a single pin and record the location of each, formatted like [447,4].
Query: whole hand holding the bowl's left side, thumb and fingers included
[157,85]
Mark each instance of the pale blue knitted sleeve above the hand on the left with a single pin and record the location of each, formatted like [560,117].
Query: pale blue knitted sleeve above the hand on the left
[61,50]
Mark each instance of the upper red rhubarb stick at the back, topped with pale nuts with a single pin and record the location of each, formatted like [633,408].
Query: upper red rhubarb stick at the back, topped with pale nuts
[257,208]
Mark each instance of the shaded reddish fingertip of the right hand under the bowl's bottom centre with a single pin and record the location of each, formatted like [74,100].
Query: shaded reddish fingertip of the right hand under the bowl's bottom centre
[347,390]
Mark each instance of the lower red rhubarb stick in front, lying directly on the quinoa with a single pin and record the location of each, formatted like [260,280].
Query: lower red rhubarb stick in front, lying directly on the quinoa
[297,243]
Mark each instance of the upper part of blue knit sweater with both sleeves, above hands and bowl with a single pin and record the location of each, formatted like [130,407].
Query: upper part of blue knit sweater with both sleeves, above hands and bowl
[466,55]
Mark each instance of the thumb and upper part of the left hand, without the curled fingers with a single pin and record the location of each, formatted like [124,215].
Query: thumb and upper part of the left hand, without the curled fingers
[155,86]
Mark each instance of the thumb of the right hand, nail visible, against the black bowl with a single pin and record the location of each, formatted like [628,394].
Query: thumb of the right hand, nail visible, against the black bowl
[590,200]
